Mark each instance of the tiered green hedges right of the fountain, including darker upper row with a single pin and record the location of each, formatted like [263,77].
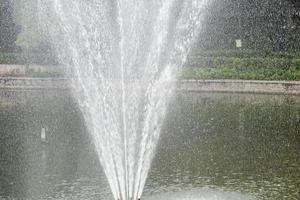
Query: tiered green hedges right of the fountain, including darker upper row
[246,65]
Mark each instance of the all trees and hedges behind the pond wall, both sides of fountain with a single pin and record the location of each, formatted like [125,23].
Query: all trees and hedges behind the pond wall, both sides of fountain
[269,31]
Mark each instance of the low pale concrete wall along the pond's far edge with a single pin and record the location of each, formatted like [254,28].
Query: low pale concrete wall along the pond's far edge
[236,86]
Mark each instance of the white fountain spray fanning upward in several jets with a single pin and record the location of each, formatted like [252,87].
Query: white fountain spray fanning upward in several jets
[123,57]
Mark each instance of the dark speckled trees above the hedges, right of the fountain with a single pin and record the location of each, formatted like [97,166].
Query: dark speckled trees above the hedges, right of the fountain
[261,24]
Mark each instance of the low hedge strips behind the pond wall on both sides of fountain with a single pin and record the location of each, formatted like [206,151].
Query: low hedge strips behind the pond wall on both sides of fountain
[229,64]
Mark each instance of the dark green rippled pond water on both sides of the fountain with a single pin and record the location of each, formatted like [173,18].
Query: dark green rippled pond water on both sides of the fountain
[247,144]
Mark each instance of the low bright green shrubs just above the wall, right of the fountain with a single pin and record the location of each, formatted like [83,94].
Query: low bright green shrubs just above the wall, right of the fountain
[259,68]
